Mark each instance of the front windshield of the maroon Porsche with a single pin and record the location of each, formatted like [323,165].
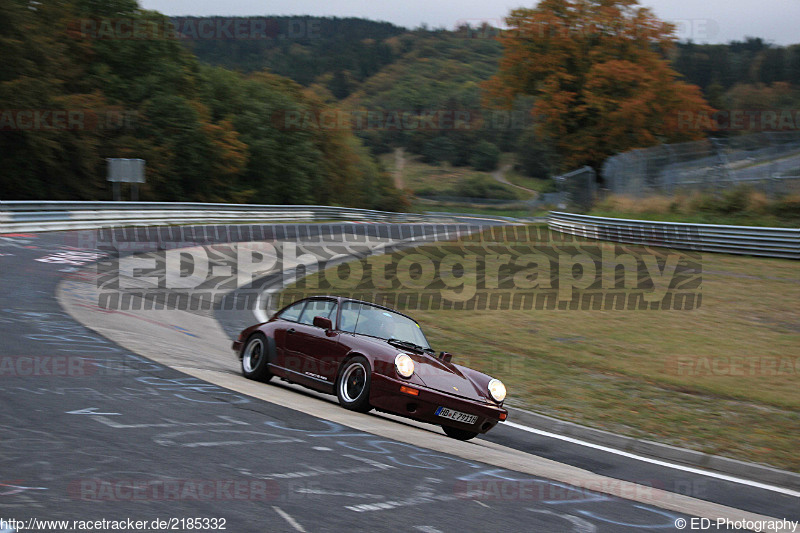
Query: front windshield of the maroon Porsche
[365,319]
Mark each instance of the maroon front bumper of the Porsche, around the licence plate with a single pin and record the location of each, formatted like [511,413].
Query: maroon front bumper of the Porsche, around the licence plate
[385,395]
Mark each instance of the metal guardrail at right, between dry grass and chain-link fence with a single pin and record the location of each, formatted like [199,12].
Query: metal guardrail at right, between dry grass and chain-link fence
[746,240]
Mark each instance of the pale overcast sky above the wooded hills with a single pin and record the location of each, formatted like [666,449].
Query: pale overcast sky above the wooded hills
[712,21]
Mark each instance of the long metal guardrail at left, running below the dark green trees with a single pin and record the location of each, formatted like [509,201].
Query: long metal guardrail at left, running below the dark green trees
[65,215]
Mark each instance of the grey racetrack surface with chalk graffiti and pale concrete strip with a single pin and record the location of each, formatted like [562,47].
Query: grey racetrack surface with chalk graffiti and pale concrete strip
[121,435]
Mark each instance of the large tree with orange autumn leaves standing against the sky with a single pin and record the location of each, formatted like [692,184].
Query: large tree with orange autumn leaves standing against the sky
[599,72]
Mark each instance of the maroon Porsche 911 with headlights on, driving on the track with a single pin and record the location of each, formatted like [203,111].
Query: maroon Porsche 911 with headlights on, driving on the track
[371,357]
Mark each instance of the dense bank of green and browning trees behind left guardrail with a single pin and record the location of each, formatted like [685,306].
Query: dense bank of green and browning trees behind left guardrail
[207,134]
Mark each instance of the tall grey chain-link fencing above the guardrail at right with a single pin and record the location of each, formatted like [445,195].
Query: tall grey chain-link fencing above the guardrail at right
[769,162]
